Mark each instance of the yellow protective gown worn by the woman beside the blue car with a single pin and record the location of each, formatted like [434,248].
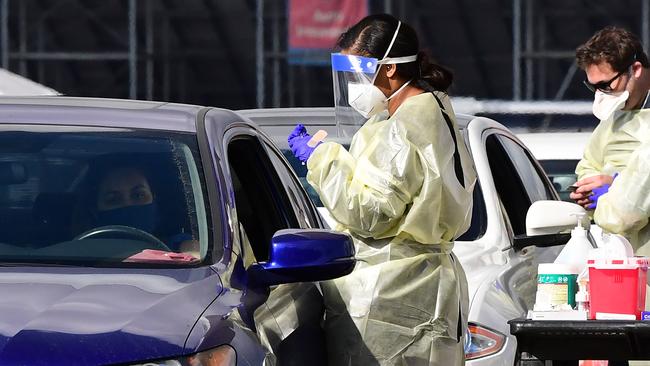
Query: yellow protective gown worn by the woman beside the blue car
[398,193]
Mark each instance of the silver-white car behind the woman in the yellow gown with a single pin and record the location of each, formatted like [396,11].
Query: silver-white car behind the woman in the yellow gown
[500,262]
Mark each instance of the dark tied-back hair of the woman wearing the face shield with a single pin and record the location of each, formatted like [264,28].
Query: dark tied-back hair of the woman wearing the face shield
[371,37]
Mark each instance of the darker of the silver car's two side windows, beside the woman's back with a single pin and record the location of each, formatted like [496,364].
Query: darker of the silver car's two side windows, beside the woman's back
[508,182]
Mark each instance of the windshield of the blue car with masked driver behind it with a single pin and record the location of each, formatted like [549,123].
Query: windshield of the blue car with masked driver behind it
[100,196]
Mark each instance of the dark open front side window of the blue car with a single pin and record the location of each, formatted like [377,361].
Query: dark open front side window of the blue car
[261,201]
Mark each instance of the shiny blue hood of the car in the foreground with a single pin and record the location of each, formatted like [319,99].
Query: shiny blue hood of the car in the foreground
[64,315]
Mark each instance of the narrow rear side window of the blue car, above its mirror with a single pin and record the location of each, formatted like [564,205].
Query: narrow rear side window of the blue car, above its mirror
[302,206]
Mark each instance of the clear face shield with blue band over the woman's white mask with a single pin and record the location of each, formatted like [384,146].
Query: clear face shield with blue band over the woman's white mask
[356,98]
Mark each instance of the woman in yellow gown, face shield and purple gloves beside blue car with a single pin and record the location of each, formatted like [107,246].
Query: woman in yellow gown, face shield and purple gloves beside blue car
[403,190]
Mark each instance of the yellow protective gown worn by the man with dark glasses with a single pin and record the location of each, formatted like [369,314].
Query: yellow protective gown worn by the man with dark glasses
[619,145]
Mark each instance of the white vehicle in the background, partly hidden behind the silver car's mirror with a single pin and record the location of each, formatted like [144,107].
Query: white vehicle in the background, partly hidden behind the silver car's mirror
[558,153]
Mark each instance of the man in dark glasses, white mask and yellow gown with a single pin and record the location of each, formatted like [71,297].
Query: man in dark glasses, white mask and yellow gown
[618,73]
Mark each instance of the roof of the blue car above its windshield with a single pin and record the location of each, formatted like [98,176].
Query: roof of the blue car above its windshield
[104,112]
